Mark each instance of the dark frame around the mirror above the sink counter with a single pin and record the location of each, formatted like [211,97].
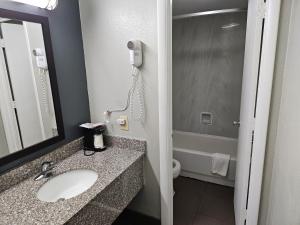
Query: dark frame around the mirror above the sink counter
[19,158]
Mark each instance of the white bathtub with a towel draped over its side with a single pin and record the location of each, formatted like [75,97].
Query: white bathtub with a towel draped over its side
[194,152]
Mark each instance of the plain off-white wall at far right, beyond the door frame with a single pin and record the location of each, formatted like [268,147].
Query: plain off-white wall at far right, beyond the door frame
[284,199]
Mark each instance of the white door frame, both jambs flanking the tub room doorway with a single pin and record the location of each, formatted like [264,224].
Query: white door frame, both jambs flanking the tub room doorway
[264,90]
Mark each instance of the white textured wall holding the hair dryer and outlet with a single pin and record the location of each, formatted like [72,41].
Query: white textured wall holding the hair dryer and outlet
[107,26]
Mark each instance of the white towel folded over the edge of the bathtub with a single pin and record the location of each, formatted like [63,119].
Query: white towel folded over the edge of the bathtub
[220,163]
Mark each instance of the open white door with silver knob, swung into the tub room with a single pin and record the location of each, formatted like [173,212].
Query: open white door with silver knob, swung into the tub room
[248,101]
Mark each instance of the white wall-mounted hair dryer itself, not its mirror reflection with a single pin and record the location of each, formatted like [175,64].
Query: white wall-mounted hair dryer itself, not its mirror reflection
[135,53]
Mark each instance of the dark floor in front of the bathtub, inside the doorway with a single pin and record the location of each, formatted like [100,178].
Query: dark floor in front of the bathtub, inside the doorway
[202,203]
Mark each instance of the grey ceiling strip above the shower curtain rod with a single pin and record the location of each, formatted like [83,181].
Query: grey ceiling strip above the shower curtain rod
[192,6]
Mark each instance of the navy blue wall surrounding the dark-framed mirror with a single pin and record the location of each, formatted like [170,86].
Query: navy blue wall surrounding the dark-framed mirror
[68,54]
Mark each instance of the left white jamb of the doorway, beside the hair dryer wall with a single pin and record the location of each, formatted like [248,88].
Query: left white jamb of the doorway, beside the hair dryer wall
[164,45]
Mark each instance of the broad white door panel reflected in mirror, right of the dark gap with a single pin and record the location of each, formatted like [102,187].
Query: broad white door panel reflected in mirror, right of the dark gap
[23,85]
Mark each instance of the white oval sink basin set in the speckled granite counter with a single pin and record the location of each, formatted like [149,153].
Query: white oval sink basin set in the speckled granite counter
[67,185]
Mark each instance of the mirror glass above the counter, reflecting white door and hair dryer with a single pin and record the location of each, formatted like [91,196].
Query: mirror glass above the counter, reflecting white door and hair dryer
[27,115]
